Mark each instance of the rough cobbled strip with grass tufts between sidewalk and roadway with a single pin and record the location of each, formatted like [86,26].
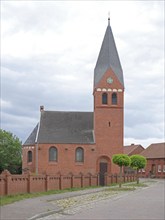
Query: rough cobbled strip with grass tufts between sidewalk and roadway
[72,207]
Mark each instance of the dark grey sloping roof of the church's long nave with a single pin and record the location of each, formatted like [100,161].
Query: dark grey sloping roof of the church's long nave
[65,127]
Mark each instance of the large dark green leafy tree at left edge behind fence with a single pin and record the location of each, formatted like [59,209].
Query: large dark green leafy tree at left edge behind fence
[10,152]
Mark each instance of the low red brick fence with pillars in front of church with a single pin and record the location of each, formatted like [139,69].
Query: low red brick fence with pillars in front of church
[28,183]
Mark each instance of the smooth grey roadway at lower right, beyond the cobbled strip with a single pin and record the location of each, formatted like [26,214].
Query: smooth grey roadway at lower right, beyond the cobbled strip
[147,203]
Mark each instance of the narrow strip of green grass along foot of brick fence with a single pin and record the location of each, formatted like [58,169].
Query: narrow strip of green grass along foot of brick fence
[4,200]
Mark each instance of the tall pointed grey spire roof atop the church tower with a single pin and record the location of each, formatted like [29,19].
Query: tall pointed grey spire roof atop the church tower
[108,58]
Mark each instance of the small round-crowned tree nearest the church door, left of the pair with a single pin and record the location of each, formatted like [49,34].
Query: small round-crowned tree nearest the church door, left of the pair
[121,160]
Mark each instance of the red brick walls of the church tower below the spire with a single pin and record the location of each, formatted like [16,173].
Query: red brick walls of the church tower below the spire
[108,119]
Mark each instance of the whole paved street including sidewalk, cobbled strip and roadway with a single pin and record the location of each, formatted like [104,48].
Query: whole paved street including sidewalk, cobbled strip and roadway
[146,203]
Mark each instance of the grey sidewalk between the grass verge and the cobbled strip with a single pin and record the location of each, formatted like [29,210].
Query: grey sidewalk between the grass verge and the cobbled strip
[40,206]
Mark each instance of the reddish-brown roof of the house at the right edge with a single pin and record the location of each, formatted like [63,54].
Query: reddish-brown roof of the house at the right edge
[156,150]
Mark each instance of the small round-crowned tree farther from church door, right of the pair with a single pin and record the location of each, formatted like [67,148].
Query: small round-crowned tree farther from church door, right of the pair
[138,162]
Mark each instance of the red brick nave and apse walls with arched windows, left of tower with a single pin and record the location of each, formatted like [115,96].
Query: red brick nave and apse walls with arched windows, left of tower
[66,159]
